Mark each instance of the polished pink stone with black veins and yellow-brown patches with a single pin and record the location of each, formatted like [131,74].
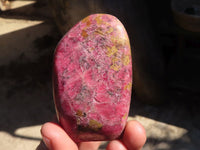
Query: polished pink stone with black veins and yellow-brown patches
[93,79]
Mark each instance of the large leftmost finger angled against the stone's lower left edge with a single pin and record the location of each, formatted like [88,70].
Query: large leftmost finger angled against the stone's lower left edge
[56,138]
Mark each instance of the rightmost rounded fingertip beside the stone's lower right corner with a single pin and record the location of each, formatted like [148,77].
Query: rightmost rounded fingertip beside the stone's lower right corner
[134,136]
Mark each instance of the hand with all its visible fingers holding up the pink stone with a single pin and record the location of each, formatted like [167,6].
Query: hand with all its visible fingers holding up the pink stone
[55,138]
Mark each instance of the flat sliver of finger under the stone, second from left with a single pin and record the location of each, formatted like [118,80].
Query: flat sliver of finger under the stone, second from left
[89,145]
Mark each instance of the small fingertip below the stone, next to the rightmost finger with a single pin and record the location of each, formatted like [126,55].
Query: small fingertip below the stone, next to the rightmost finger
[116,145]
